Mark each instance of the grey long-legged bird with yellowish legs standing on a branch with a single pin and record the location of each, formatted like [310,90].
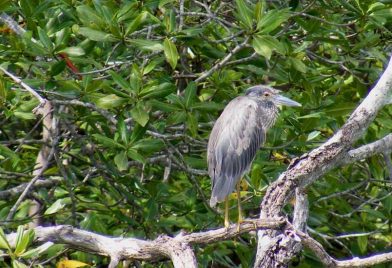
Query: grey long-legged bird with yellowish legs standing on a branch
[235,138]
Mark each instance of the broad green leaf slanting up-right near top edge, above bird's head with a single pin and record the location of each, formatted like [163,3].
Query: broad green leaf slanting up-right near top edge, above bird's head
[272,19]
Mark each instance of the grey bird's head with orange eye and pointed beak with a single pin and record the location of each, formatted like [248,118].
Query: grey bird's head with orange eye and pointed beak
[270,94]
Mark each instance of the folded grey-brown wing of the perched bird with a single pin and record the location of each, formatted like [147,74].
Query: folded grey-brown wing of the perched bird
[234,141]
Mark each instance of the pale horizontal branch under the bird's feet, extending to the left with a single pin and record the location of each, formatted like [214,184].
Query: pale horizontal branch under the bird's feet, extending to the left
[176,248]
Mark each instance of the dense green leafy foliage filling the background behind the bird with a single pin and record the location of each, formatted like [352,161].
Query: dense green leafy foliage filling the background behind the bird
[136,87]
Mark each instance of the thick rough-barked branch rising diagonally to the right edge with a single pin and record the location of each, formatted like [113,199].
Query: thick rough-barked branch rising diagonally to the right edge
[312,166]
